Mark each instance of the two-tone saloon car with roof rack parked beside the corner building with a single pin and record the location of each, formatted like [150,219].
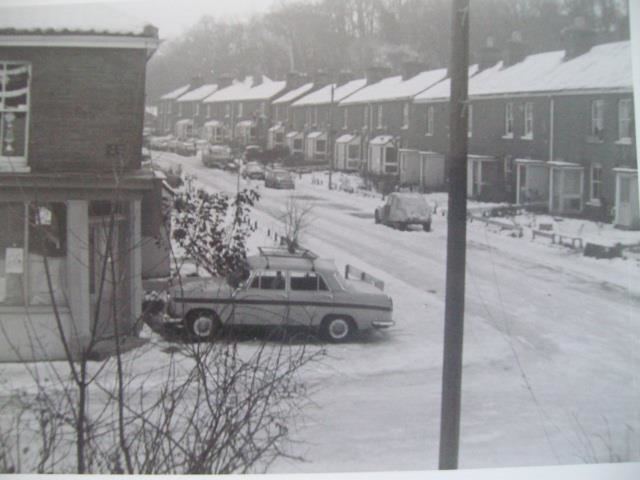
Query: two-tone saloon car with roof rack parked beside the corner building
[278,288]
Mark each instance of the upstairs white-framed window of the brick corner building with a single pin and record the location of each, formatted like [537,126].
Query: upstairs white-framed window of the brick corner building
[14,113]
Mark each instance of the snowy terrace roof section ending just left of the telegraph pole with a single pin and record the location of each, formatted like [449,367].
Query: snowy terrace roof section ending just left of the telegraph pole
[395,88]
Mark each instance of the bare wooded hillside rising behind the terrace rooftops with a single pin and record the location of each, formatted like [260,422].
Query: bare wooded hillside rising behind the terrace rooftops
[351,35]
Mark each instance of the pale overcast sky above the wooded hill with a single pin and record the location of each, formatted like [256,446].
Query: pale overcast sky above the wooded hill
[172,16]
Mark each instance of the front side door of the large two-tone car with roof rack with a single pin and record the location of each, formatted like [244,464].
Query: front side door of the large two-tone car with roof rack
[263,301]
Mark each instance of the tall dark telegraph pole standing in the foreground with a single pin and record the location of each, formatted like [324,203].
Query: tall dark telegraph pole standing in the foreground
[456,239]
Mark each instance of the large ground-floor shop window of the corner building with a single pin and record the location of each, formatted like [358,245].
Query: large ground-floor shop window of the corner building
[32,233]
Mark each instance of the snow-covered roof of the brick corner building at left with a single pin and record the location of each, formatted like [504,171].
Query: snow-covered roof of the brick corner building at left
[65,19]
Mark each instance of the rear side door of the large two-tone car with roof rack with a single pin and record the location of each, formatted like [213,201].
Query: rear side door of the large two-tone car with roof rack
[309,298]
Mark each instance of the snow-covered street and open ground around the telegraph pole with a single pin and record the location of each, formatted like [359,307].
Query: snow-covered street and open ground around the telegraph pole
[551,354]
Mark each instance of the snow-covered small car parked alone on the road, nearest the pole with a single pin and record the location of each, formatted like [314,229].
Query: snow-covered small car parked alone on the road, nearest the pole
[403,209]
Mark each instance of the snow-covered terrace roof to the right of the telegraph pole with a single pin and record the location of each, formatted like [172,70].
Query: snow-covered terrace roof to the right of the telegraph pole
[604,67]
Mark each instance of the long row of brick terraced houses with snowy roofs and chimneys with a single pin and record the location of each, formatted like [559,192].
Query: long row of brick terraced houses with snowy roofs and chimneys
[553,130]
